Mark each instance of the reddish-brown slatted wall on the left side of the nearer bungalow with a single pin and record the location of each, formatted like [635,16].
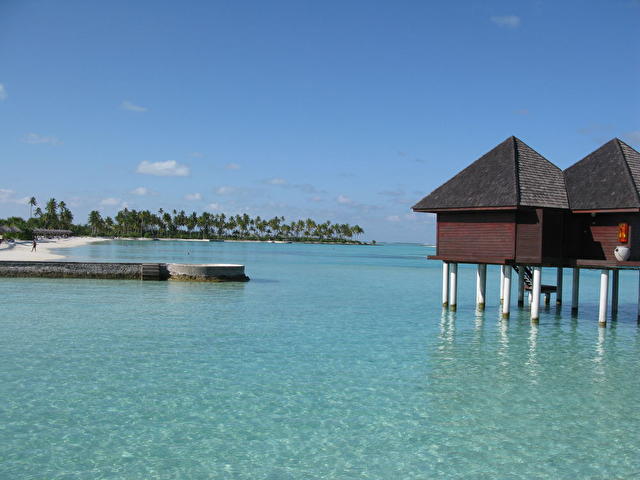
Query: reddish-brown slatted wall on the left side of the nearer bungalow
[477,236]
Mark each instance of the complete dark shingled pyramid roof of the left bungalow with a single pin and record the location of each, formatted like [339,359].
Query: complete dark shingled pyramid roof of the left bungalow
[510,175]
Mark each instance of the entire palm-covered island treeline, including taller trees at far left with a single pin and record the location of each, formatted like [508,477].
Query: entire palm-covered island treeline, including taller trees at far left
[179,225]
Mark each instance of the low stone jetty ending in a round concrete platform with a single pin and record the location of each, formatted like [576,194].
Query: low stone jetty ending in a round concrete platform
[125,271]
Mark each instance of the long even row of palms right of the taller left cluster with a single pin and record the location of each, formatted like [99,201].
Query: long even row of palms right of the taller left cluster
[205,225]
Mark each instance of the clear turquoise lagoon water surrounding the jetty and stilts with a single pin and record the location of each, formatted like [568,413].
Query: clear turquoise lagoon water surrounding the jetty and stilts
[334,362]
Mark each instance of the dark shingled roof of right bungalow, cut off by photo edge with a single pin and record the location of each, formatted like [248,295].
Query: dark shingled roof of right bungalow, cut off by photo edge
[606,179]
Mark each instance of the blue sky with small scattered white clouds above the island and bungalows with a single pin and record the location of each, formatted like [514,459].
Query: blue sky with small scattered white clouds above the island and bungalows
[349,111]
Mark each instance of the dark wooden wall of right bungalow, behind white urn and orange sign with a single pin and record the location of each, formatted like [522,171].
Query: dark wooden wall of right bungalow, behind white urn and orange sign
[595,238]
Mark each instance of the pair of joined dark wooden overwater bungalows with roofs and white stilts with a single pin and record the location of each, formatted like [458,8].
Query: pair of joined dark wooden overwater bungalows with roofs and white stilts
[513,207]
